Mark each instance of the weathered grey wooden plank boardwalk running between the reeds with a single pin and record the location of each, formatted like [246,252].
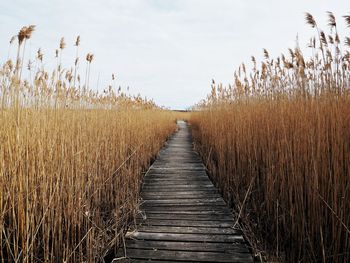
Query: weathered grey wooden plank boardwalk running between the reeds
[182,216]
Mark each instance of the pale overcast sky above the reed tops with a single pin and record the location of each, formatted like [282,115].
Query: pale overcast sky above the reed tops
[168,50]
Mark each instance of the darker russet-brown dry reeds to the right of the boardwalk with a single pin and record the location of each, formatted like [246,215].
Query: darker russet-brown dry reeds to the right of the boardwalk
[277,143]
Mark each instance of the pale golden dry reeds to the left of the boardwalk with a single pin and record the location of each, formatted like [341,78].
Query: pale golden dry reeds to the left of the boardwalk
[71,160]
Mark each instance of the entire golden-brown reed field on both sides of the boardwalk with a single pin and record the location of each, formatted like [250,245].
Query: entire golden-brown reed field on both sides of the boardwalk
[276,142]
